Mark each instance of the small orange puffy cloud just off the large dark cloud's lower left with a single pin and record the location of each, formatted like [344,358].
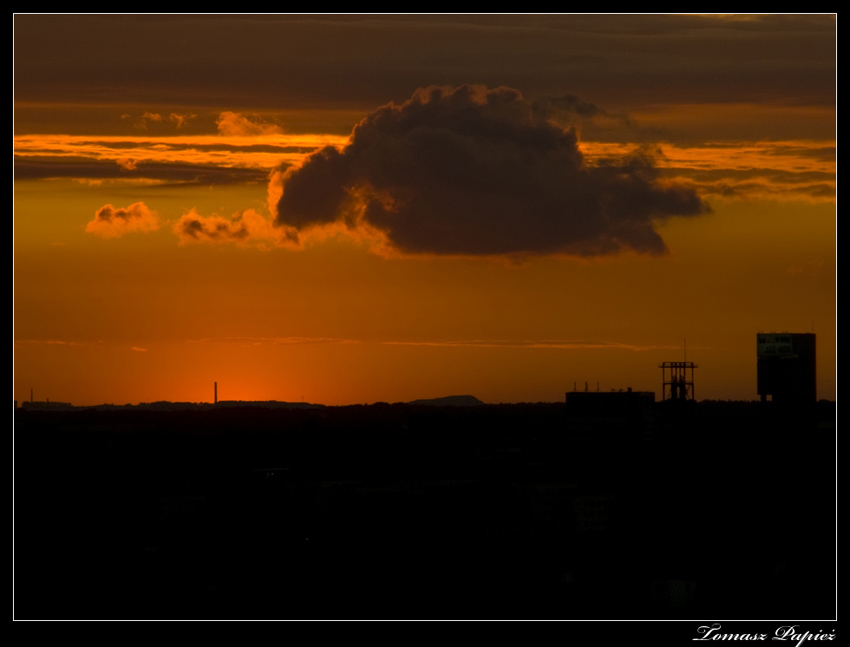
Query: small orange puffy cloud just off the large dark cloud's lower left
[248,228]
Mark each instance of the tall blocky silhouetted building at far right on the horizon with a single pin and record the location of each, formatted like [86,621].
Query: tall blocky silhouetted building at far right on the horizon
[786,367]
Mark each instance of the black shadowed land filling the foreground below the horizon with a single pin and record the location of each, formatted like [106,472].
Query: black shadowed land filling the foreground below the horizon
[722,510]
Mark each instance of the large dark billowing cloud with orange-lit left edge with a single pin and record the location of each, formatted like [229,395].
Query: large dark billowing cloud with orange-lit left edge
[473,171]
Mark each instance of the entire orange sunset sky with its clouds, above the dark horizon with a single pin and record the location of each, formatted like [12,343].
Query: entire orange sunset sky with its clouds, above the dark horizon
[350,209]
